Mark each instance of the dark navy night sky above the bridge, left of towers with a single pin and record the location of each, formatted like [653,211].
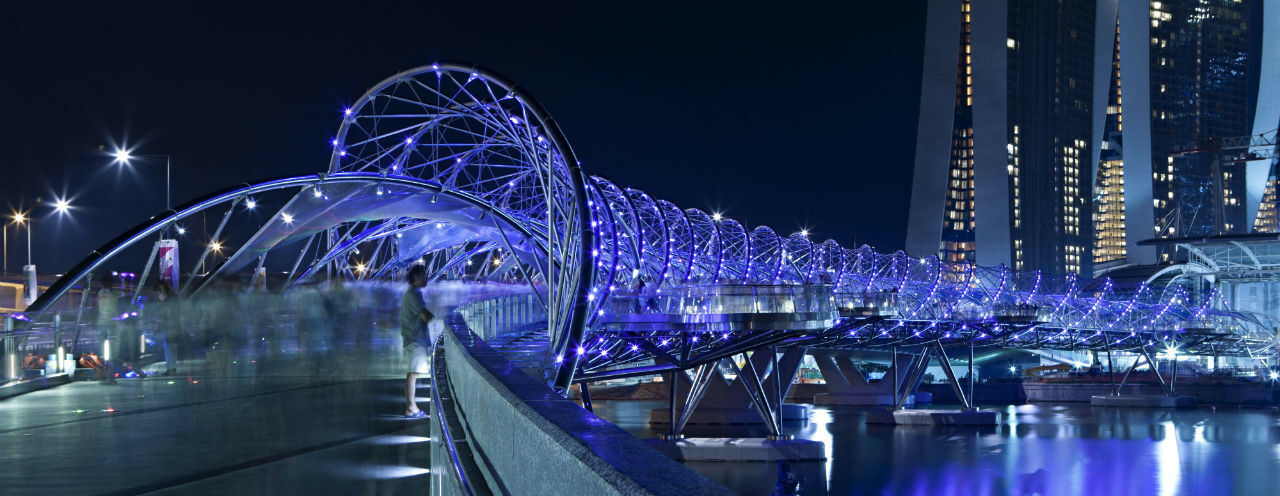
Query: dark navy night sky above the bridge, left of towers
[788,116]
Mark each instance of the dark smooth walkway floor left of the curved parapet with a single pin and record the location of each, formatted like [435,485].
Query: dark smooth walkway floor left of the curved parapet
[235,435]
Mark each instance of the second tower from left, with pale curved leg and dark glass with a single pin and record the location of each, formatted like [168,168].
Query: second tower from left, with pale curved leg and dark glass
[1177,84]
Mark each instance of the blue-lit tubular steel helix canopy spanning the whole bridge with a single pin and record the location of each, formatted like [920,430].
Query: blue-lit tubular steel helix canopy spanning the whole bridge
[458,168]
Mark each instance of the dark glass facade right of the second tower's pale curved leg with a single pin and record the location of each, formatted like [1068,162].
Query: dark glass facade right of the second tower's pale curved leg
[1199,90]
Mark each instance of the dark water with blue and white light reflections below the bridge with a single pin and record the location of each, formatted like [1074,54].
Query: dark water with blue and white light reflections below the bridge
[1039,449]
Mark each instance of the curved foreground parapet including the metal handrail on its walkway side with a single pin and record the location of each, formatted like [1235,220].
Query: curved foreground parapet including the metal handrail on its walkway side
[509,420]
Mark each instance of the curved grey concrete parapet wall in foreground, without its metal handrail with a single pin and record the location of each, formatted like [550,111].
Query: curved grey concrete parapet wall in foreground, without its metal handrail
[538,443]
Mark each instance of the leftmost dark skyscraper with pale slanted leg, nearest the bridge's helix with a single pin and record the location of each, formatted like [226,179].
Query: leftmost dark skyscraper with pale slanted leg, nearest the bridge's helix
[1002,168]
